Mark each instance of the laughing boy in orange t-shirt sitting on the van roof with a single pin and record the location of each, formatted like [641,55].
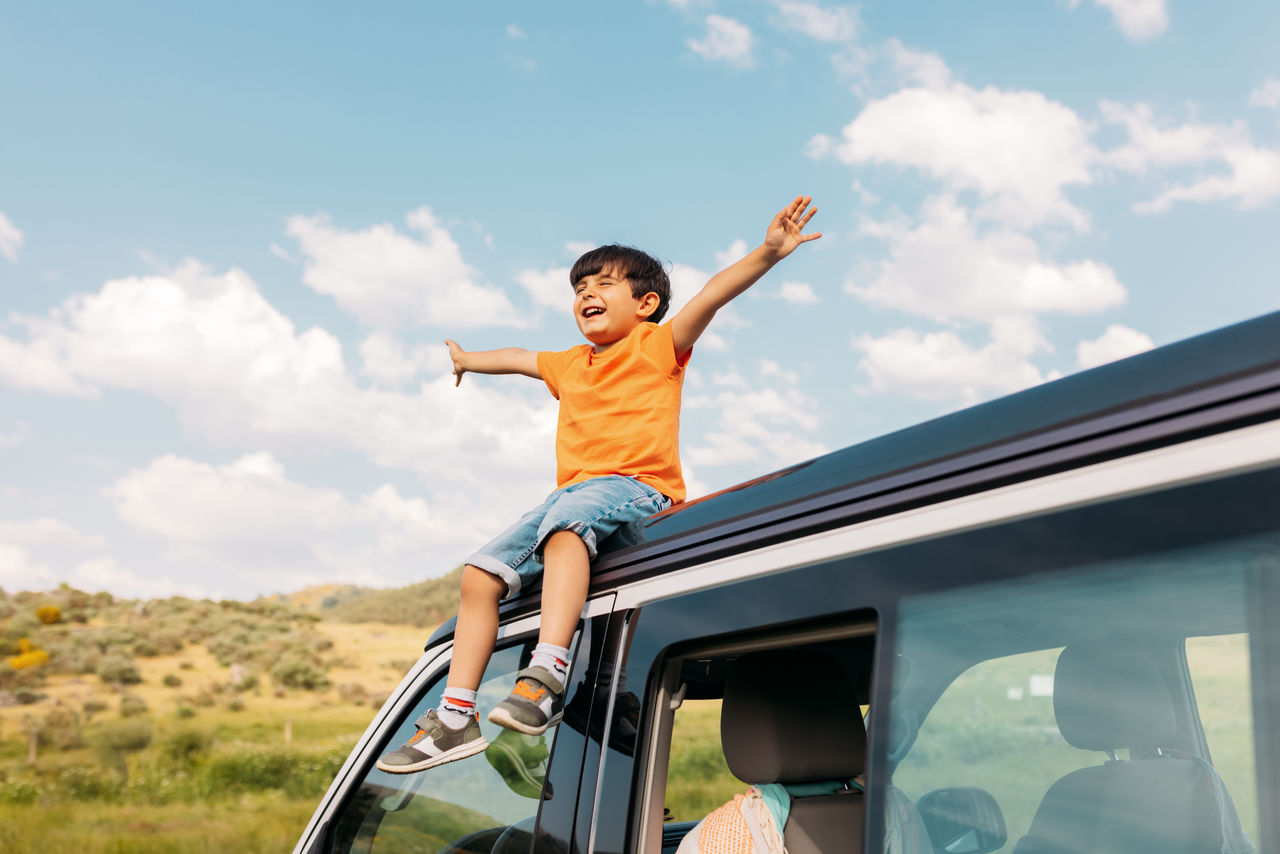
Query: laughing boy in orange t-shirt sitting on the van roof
[616,464]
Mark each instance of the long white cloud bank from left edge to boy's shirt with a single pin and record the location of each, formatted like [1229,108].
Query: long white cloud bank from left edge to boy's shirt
[235,369]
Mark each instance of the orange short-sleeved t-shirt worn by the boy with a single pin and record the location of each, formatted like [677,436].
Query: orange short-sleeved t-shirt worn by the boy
[620,410]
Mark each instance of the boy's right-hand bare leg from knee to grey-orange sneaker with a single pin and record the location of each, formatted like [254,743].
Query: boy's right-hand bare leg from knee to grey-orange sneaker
[538,701]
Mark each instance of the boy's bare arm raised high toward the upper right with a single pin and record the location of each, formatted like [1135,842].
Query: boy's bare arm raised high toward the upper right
[780,240]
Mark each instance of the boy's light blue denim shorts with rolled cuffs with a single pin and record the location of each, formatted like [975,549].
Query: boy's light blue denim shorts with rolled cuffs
[593,510]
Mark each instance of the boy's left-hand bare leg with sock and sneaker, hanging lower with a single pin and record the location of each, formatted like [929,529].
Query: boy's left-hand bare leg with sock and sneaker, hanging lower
[452,732]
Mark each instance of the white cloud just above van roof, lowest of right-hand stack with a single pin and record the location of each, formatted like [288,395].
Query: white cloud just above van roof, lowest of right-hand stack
[941,367]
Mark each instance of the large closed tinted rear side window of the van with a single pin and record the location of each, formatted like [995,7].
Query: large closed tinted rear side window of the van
[1034,713]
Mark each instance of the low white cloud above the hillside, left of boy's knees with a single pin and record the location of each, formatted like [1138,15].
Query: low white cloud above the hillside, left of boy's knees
[249,519]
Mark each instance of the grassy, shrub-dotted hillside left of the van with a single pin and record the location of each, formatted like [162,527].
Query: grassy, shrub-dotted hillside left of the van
[182,725]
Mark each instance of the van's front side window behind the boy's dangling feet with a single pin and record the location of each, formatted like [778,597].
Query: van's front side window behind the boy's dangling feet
[487,803]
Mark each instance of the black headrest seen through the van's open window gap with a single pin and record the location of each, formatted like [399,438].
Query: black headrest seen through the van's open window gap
[790,716]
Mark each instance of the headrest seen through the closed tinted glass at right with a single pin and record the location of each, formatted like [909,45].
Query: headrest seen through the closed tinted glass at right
[1110,695]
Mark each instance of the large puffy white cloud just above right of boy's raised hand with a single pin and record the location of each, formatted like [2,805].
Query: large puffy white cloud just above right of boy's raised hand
[1018,150]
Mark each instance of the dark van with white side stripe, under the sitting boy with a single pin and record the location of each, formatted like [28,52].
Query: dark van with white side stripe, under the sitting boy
[1045,624]
